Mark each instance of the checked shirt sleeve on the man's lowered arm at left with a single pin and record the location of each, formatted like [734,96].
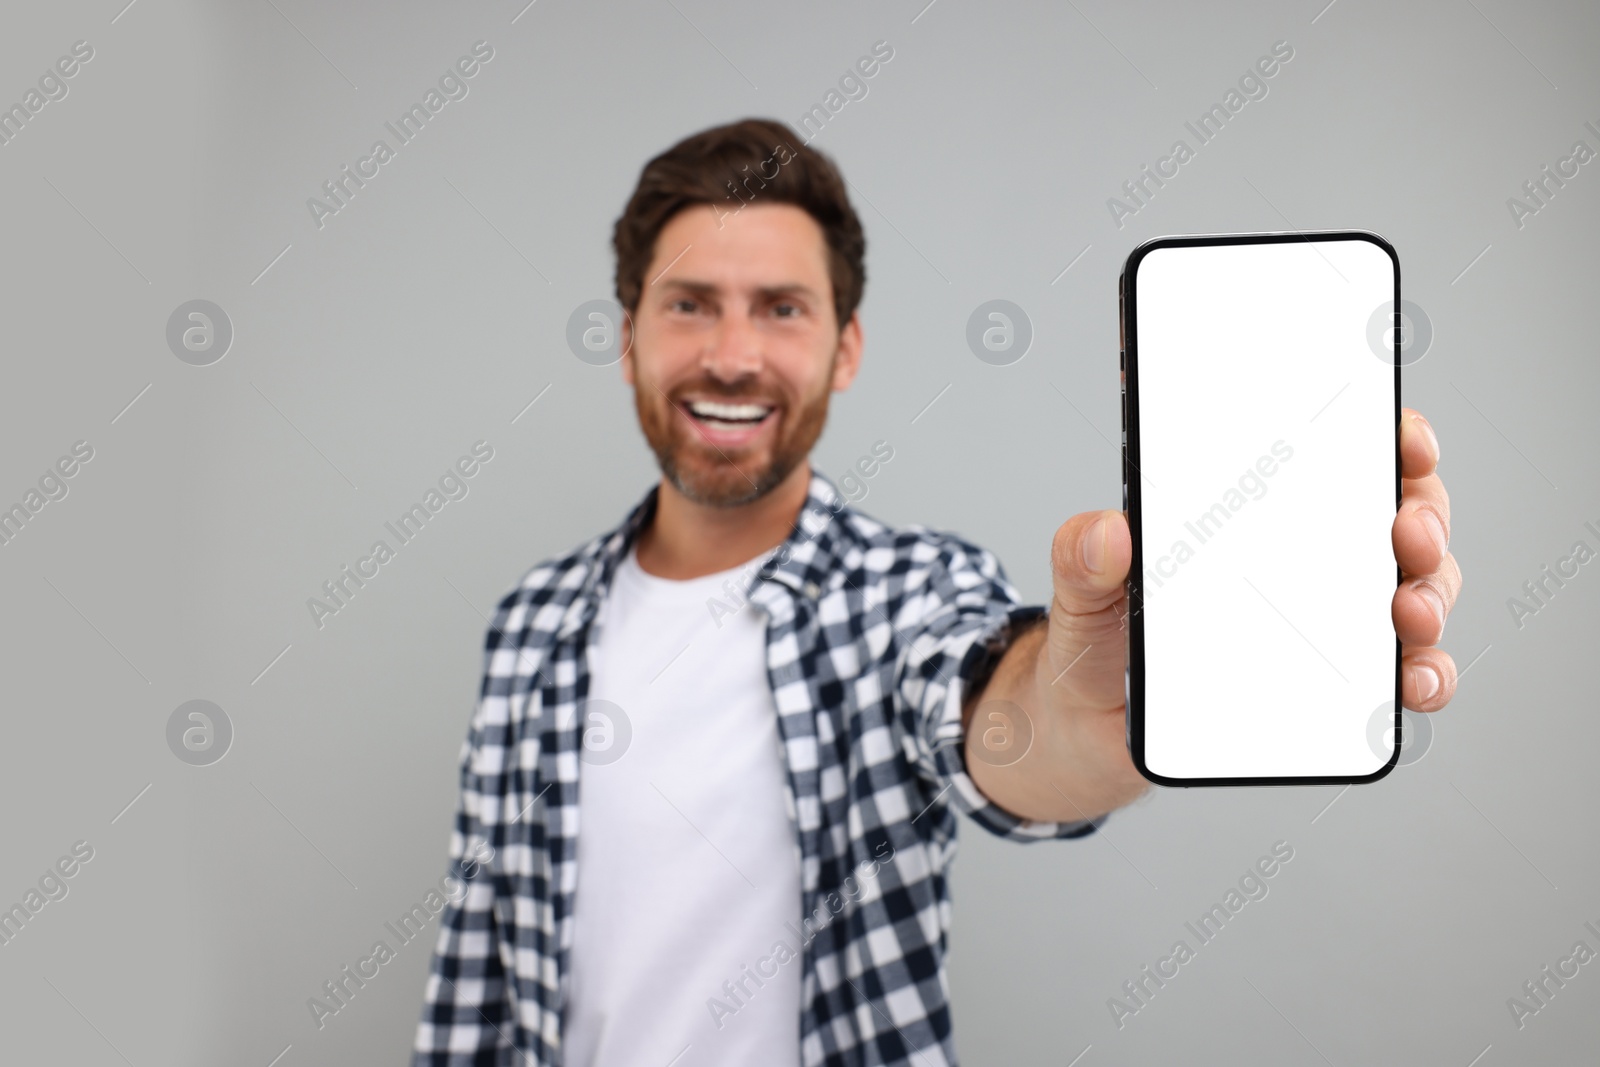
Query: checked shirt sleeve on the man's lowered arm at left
[466,1015]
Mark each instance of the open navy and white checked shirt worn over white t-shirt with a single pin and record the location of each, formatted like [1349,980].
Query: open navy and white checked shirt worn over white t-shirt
[873,634]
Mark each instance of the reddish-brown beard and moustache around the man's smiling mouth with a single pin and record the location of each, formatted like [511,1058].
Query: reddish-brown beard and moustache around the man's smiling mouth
[718,478]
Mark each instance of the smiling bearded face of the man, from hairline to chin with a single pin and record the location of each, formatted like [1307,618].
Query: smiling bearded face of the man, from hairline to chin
[735,350]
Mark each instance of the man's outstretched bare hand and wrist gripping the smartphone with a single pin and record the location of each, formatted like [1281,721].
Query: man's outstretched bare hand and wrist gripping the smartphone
[1068,677]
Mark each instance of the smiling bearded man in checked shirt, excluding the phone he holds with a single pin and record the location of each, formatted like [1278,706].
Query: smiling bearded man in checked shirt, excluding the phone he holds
[708,801]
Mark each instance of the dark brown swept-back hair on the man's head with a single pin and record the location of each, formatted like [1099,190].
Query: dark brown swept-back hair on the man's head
[748,162]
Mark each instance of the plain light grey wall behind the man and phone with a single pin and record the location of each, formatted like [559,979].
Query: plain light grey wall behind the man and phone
[433,310]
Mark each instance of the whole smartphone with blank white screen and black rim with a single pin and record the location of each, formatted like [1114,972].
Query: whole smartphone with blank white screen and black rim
[1262,479]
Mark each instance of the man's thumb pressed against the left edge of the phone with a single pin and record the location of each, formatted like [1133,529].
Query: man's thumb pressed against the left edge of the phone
[1089,565]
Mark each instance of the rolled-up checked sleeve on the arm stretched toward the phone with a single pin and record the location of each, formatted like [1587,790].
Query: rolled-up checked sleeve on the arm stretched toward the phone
[972,615]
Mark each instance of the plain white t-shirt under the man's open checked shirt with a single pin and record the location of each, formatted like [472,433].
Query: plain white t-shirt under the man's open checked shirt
[689,868]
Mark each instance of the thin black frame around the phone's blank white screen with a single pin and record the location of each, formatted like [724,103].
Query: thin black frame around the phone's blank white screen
[1132,497]
